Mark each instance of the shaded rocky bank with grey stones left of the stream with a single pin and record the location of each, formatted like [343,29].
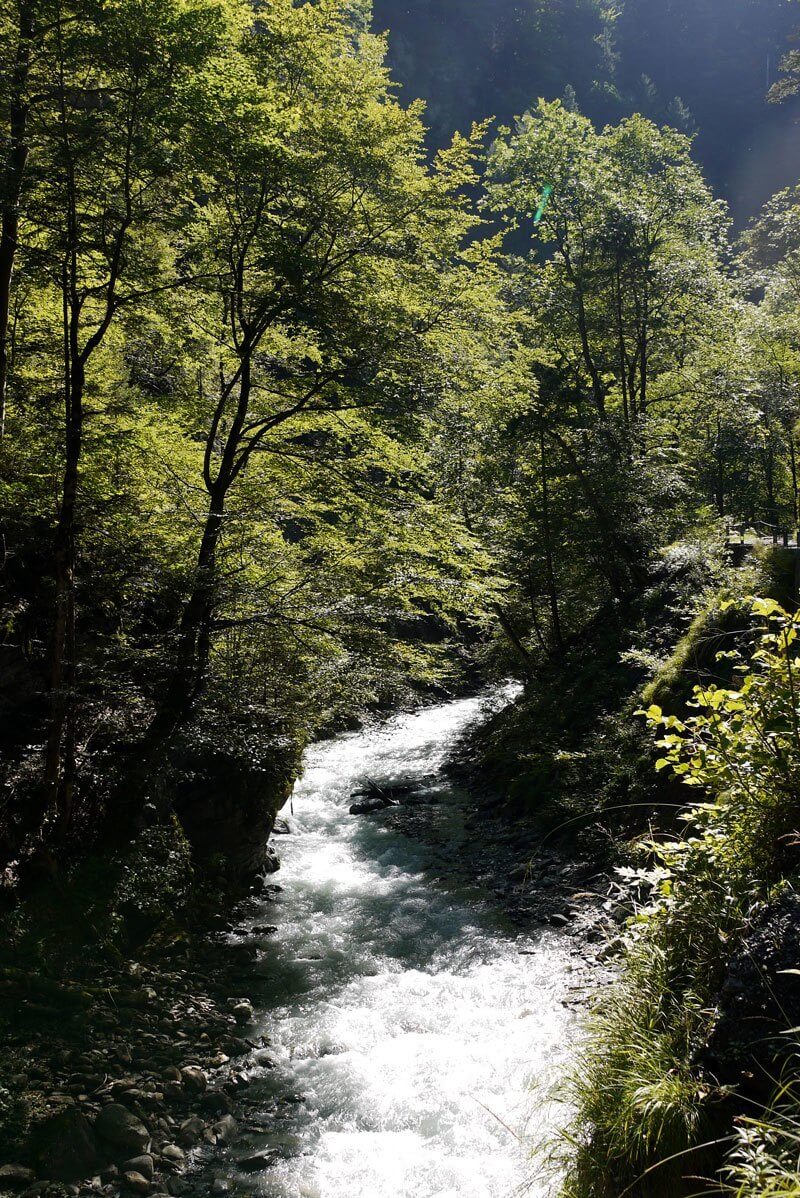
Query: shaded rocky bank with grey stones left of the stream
[113,1078]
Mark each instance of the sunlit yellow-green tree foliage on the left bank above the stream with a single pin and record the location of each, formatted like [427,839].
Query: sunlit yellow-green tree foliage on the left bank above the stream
[219,413]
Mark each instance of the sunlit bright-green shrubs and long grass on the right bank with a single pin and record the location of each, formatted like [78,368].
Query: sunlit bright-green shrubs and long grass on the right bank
[641,1091]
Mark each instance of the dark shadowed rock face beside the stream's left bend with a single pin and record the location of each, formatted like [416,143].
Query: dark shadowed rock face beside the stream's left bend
[228,804]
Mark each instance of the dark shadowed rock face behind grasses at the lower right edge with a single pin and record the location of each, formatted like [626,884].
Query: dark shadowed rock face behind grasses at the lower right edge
[759,1000]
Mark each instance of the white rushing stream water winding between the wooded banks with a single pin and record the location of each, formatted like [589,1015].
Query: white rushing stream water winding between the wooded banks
[416,1034]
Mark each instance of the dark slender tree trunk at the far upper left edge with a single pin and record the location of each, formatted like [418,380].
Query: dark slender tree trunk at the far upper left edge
[13,185]
